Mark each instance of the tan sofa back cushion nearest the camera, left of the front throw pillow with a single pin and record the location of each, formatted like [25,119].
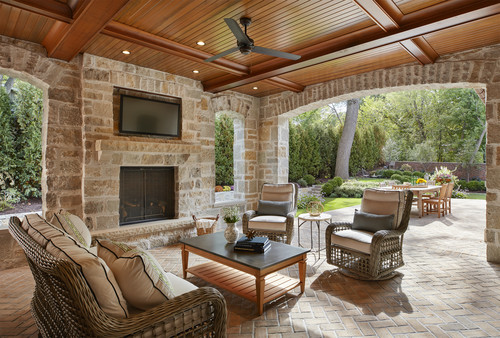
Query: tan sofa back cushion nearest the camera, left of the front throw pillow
[95,271]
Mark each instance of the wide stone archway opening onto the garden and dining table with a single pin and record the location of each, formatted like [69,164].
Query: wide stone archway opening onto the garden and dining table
[478,68]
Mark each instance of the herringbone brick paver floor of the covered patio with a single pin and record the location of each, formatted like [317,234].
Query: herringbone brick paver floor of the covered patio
[446,289]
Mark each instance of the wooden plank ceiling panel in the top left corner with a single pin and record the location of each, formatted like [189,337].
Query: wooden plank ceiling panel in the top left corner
[23,25]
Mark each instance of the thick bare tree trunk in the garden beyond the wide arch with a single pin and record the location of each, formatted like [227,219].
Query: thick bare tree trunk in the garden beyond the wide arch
[345,143]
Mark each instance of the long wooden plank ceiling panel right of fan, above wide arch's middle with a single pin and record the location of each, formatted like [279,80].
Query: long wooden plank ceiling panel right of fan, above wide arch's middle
[383,57]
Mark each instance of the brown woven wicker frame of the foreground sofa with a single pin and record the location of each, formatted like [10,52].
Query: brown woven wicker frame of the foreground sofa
[63,304]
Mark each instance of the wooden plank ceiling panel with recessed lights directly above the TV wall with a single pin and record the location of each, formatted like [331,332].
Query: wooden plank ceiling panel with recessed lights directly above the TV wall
[112,48]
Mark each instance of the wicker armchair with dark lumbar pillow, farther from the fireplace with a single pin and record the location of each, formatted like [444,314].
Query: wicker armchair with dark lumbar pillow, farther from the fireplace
[379,258]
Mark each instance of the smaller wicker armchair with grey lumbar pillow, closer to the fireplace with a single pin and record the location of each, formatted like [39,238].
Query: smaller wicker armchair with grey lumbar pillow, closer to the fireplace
[277,228]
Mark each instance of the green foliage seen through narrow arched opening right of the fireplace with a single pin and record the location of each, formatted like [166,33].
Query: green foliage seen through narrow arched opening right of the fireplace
[224,140]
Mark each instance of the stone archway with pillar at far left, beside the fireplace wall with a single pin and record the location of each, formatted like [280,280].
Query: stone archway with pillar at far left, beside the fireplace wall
[62,122]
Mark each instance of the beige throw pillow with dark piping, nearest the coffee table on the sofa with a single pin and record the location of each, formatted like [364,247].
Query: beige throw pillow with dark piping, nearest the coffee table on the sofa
[141,278]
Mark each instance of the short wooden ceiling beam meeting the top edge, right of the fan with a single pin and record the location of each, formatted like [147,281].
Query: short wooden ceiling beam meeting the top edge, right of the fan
[383,12]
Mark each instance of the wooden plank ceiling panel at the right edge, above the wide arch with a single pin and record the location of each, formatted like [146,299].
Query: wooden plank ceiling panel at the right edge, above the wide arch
[471,35]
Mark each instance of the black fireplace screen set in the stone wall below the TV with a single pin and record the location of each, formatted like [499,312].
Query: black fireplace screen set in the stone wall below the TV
[146,194]
